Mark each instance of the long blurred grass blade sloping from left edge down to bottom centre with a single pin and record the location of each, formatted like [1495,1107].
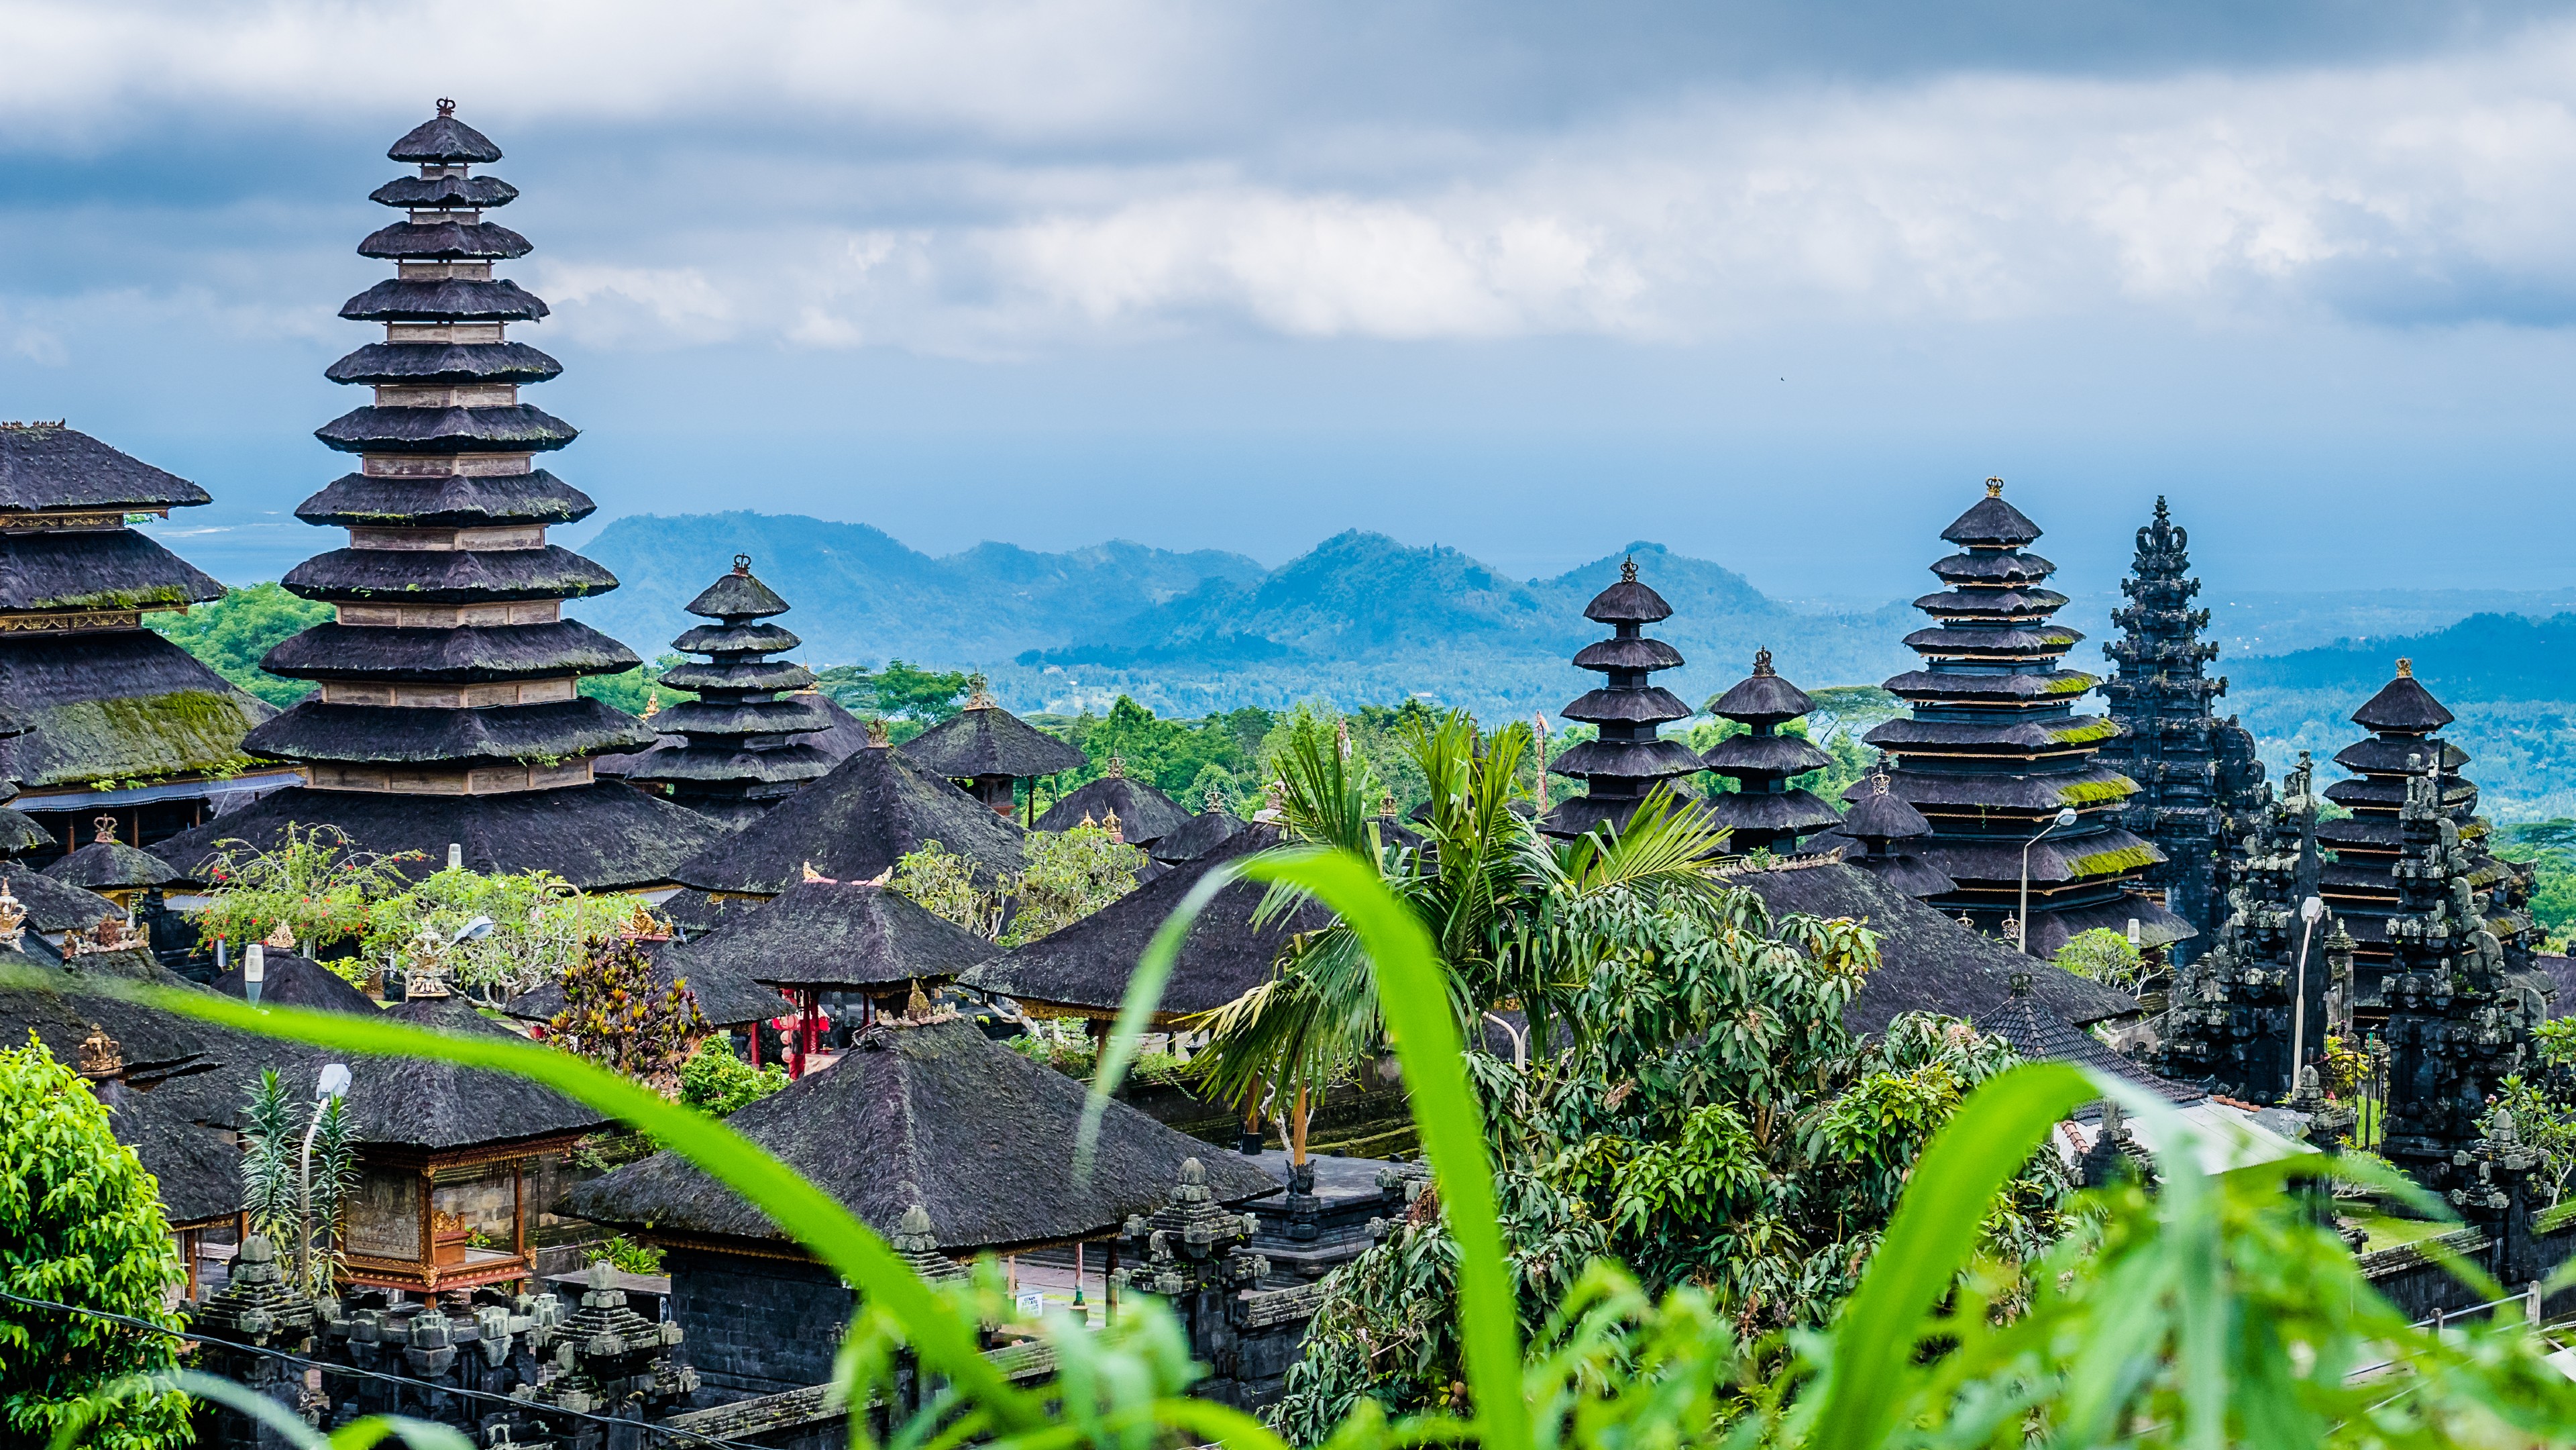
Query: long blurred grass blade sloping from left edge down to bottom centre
[808,1214]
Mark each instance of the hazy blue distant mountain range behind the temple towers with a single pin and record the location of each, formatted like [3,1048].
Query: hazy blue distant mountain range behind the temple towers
[1367,619]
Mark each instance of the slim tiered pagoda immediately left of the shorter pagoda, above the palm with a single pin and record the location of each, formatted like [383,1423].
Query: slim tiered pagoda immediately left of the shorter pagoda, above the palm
[1629,758]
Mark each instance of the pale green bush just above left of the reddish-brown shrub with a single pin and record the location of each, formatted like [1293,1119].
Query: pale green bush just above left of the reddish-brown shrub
[542,928]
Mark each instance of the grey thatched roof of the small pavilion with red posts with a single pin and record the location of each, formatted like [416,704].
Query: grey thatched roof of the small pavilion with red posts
[836,936]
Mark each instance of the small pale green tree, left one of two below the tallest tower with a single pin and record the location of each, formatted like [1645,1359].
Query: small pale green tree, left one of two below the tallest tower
[318,885]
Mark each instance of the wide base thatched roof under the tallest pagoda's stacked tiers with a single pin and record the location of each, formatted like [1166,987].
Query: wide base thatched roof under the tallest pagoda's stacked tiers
[601,838]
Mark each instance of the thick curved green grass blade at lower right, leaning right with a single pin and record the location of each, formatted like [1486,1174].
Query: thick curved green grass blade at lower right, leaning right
[1931,1240]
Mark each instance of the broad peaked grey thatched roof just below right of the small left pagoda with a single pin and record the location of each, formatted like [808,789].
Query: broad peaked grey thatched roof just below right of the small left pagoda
[854,825]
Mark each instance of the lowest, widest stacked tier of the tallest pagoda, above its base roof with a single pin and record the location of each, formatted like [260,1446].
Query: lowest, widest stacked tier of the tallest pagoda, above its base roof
[401,735]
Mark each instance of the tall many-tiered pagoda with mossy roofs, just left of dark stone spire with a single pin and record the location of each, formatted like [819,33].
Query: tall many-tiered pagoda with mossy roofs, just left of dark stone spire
[1995,751]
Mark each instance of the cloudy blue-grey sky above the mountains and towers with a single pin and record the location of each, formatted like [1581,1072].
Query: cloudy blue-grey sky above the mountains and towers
[1766,282]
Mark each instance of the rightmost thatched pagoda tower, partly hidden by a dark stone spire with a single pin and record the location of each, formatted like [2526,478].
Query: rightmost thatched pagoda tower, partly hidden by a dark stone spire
[2405,758]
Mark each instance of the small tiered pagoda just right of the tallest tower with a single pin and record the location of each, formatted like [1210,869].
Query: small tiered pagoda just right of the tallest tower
[743,746]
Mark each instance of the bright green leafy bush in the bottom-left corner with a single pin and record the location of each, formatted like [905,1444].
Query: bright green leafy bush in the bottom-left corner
[79,1225]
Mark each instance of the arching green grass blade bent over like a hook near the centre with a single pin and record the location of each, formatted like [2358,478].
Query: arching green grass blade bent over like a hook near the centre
[1418,1016]
